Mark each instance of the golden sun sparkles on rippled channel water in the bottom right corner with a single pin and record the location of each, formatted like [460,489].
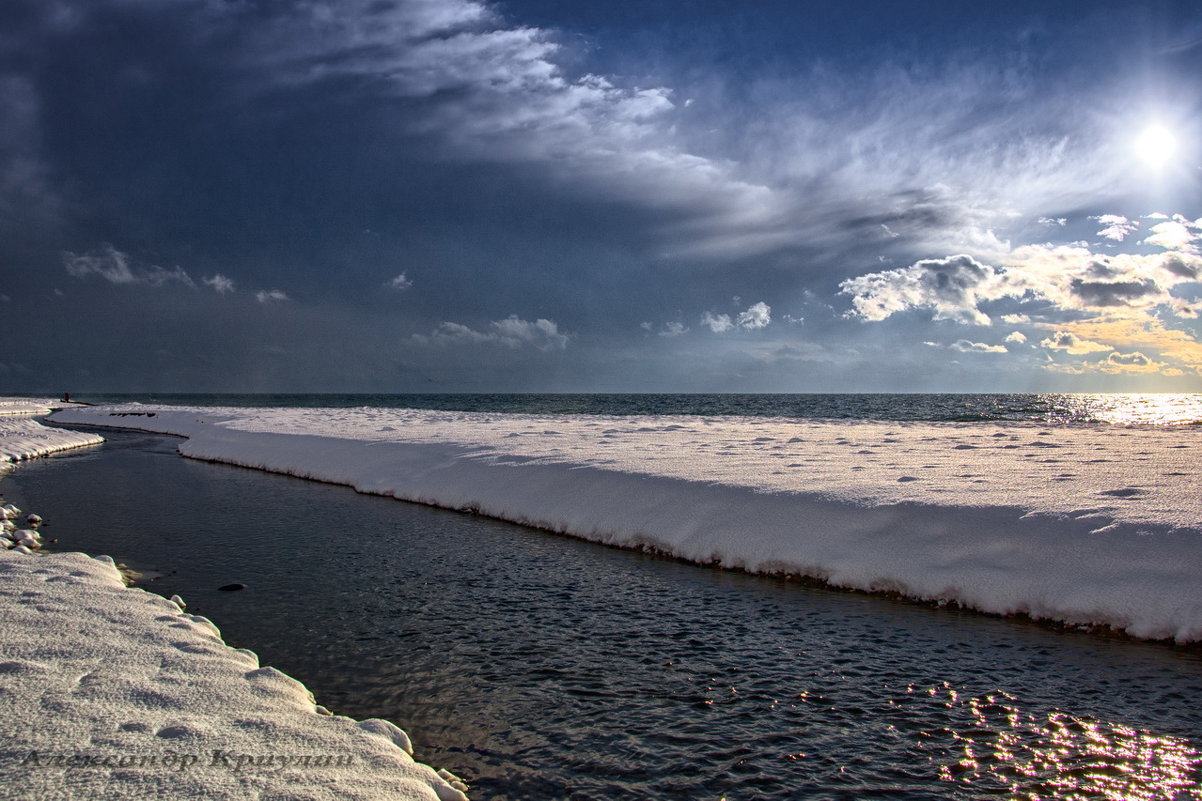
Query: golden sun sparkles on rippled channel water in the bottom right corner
[1002,750]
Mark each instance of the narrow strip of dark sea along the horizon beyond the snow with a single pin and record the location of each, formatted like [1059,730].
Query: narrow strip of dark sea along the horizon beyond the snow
[1045,408]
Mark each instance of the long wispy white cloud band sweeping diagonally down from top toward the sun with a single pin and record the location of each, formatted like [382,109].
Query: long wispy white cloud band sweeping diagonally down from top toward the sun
[496,91]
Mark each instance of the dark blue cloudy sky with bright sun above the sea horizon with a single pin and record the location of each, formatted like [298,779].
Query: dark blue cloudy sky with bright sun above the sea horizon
[549,197]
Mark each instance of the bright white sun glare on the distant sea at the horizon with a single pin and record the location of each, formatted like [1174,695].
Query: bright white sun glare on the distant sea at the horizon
[1126,408]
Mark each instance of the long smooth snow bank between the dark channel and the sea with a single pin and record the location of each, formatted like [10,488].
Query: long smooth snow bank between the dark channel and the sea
[1090,526]
